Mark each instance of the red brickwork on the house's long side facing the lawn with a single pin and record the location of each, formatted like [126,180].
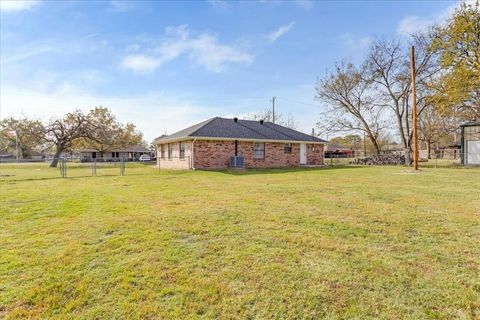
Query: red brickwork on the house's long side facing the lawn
[216,154]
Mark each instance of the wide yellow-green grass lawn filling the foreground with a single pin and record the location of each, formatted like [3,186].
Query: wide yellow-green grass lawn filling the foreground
[345,242]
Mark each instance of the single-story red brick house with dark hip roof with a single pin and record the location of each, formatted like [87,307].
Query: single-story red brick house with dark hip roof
[220,143]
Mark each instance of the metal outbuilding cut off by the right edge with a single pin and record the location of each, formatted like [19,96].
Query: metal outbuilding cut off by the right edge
[470,143]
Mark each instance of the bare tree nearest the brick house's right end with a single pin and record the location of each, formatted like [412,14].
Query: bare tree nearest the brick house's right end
[350,107]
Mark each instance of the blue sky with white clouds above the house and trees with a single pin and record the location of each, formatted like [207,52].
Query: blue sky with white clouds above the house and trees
[167,65]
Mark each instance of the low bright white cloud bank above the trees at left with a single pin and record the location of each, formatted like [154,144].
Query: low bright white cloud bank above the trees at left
[153,113]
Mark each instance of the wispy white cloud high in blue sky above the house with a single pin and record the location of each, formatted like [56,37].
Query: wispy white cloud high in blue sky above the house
[204,49]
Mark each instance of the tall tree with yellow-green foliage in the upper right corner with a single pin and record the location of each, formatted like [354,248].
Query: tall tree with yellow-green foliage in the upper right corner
[458,43]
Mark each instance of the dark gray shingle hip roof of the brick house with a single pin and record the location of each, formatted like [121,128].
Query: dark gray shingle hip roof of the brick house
[242,129]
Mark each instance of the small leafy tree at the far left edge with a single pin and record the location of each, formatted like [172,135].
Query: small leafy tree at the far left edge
[28,136]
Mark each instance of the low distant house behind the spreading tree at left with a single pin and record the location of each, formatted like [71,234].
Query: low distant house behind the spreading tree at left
[130,153]
